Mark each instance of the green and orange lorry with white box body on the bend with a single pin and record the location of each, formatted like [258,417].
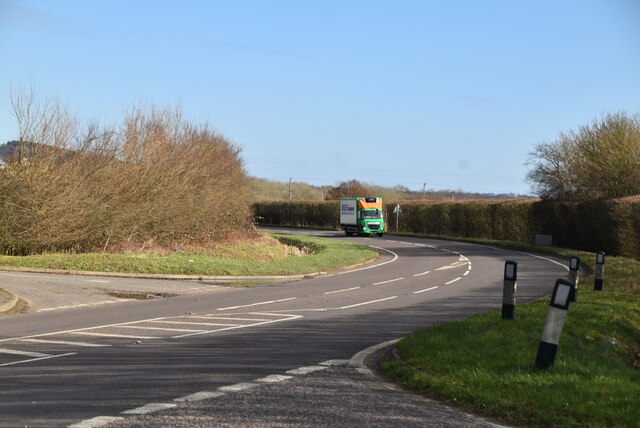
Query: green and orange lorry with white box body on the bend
[361,216]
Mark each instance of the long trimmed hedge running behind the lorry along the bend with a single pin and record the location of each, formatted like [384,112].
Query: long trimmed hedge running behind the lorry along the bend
[609,225]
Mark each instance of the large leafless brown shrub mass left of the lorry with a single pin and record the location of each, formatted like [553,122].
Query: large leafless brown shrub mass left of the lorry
[155,180]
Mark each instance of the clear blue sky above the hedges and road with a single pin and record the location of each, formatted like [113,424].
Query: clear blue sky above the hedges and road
[454,94]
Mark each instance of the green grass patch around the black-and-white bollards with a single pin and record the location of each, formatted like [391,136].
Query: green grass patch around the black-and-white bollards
[486,364]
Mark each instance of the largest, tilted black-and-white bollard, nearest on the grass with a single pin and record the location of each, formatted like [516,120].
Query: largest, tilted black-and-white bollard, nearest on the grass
[553,325]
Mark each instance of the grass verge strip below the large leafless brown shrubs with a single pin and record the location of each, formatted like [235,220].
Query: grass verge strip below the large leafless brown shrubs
[327,255]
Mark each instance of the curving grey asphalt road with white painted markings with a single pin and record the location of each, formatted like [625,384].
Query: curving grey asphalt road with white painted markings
[264,356]
